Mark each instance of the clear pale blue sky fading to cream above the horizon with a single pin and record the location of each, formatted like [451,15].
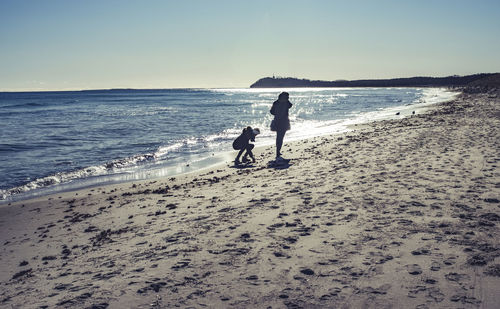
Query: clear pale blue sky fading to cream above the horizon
[72,45]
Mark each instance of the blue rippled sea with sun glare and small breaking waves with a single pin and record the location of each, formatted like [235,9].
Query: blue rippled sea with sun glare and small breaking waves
[59,141]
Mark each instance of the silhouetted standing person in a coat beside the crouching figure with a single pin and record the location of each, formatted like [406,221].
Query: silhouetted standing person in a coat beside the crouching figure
[281,123]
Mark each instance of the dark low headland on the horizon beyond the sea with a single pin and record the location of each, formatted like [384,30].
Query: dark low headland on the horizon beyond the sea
[449,81]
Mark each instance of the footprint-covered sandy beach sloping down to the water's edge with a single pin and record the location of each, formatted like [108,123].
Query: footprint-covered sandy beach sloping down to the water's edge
[397,214]
